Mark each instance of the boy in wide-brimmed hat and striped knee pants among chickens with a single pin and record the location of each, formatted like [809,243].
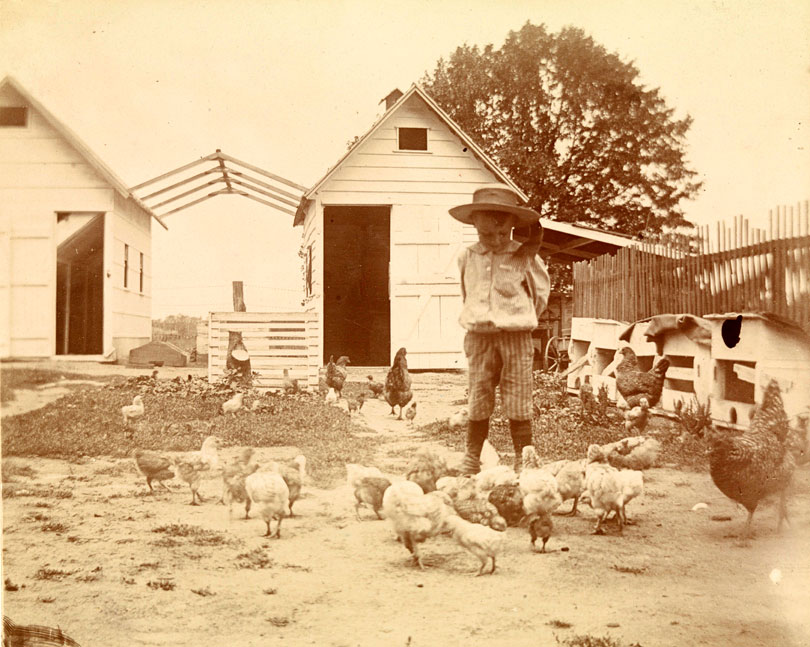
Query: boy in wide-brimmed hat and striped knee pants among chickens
[505,288]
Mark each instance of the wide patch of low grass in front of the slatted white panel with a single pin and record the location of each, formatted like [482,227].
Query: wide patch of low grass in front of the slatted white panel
[88,422]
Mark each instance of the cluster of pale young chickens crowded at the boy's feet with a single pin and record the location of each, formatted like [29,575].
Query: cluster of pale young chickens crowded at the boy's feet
[476,510]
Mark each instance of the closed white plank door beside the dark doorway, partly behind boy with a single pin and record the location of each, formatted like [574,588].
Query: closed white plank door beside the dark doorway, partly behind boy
[426,298]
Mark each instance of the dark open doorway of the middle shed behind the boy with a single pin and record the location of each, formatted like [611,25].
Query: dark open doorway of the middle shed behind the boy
[357,313]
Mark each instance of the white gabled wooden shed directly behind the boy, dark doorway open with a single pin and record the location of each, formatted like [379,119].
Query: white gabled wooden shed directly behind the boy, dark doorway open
[379,246]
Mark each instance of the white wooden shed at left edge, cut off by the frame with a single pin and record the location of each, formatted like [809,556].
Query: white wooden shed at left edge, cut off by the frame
[75,243]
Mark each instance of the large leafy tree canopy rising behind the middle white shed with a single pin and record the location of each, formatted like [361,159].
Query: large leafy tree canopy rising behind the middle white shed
[573,126]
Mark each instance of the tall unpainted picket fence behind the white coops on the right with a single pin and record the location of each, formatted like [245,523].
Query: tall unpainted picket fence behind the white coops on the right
[743,269]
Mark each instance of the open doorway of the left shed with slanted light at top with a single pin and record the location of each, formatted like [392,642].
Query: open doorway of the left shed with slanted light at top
[80,284]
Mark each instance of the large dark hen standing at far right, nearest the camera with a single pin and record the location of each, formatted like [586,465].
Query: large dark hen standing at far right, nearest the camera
[749,467]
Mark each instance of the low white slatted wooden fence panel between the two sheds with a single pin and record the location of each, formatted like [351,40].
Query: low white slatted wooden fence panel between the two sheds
[275,341]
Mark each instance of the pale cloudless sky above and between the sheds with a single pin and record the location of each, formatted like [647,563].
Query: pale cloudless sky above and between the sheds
[151,85]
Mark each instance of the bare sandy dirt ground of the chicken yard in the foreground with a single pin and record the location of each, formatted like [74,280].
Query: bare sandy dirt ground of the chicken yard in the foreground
[82,541]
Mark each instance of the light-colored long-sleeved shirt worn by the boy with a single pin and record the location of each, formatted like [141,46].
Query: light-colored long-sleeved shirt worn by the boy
[504,291]
